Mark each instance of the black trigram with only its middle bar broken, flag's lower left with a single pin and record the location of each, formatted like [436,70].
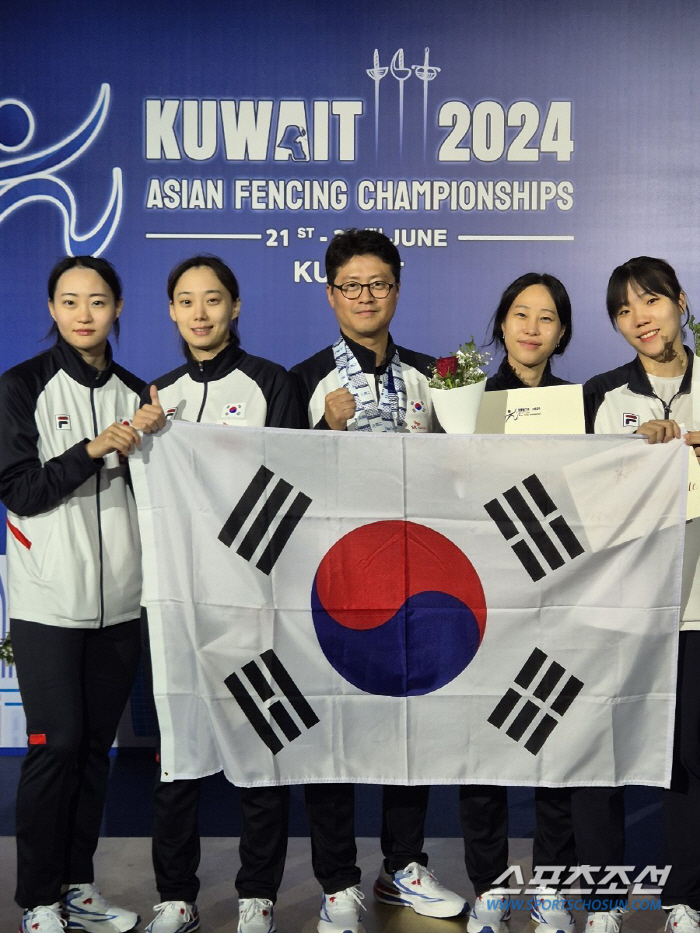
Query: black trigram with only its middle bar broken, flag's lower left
[251,704]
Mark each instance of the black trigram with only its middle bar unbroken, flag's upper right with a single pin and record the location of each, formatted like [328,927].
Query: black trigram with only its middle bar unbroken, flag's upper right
[517,521]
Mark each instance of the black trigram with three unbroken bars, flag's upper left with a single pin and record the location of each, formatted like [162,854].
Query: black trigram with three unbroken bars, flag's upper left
[268,505]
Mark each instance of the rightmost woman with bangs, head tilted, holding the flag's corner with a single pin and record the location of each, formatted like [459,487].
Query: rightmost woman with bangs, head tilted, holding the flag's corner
[657,394]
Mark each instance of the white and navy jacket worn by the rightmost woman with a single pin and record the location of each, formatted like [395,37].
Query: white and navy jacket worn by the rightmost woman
[618,402]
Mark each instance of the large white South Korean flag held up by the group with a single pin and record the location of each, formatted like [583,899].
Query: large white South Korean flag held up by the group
[327,606]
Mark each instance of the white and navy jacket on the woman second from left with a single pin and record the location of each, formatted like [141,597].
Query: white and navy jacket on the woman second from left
[233,388]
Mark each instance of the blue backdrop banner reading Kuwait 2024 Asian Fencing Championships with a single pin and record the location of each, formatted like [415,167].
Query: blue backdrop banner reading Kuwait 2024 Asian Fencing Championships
[488,138]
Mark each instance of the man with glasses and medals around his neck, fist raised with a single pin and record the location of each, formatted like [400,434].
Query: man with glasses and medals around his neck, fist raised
[365,382]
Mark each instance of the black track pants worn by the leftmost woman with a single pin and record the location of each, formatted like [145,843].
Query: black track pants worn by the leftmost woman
[74,685]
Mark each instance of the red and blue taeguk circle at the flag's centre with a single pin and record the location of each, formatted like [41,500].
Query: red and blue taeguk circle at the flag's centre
[398,609]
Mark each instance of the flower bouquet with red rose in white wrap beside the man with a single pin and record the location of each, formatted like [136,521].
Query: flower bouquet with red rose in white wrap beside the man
[462,373]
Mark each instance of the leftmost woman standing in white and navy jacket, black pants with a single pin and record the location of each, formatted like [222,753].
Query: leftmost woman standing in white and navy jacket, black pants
[68,418]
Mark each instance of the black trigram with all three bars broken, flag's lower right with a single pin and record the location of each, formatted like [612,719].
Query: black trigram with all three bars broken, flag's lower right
[543,708]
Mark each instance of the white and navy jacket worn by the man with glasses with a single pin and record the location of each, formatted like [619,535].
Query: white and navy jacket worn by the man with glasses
[317,376]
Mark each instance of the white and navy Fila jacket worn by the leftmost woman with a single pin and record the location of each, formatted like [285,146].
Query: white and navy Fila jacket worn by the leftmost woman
[73,547]
